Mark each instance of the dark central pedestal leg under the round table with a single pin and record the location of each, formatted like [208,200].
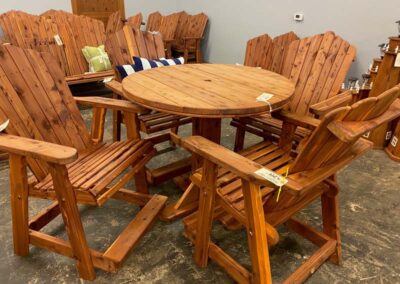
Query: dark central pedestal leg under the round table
[209,128]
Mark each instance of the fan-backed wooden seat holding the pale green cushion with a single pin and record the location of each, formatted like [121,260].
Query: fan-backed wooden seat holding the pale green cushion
[76,32]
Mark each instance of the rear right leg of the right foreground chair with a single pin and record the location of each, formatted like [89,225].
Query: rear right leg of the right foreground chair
[330,221]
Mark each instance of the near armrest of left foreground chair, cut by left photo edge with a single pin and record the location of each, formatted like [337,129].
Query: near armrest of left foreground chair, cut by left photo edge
[36,149]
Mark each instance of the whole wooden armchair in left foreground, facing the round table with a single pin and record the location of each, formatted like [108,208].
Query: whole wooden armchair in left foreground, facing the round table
[48,135]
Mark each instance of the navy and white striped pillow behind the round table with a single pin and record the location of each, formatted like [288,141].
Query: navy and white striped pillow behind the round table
[141,64]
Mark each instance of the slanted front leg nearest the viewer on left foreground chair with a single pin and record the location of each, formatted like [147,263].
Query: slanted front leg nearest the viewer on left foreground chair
[72,221]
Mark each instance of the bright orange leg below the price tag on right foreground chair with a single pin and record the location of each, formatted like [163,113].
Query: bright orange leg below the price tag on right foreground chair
[256,233]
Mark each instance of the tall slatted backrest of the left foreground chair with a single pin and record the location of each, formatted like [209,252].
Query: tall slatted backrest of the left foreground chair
[38,102]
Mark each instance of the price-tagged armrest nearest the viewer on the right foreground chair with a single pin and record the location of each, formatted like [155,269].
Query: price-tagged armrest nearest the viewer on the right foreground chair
[225,158]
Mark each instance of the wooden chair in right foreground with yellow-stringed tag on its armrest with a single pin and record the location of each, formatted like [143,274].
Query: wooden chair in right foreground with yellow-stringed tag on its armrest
[230,184]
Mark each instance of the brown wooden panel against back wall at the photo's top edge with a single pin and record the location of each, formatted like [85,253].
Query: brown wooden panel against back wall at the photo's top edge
[98,9]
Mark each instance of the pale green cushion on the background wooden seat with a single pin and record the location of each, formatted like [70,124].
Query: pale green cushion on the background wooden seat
[97,58]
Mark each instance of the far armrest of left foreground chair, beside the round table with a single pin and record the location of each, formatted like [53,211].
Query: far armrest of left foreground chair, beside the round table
[121,105]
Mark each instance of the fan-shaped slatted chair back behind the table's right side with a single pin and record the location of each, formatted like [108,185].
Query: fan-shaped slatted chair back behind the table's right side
[317,66]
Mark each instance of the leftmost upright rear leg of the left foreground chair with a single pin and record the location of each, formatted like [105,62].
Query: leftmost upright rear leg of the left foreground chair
[19,204]
